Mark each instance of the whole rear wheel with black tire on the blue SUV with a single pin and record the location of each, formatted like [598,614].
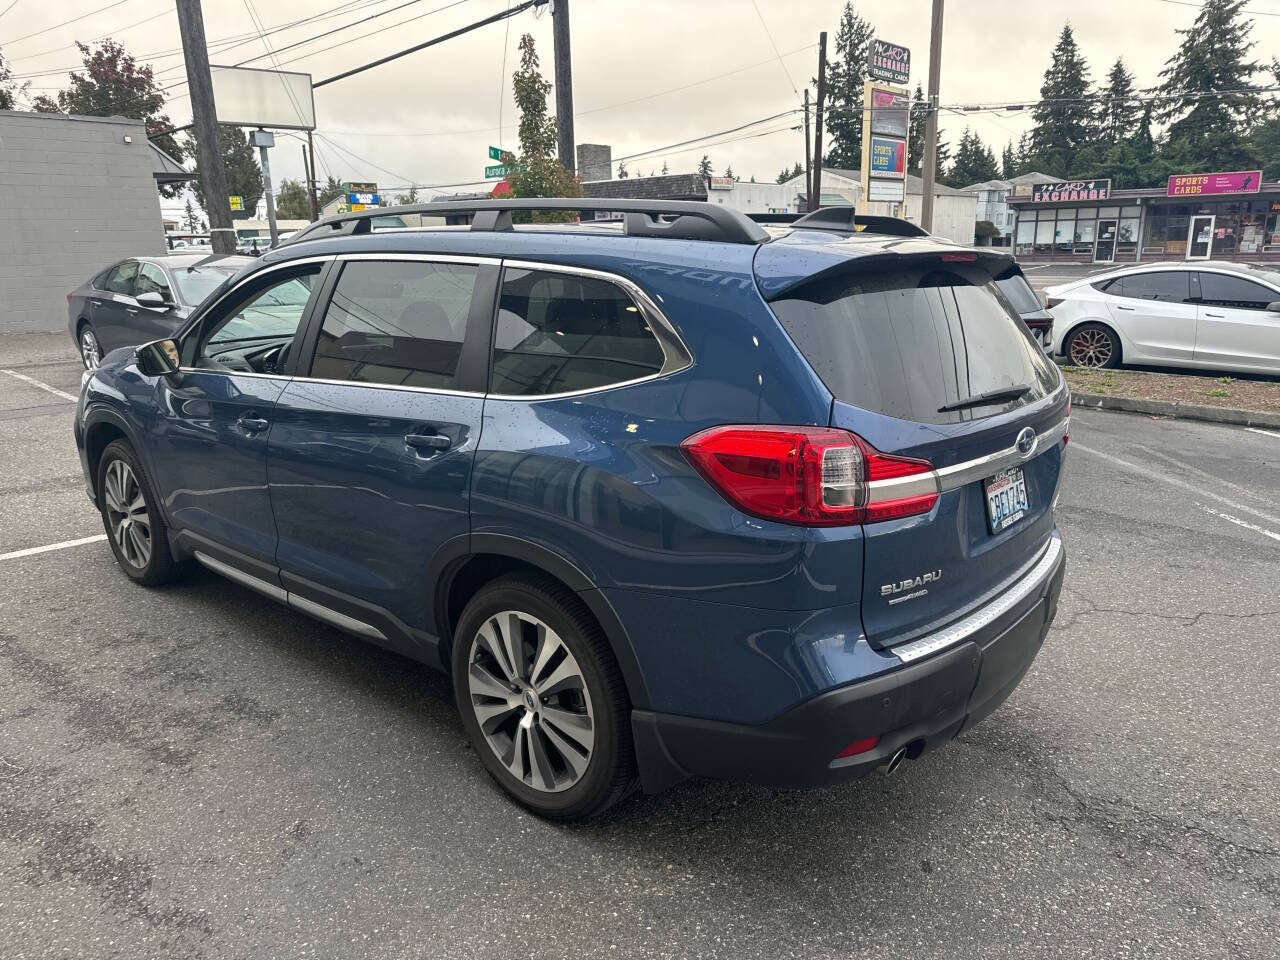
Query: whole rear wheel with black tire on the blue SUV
[554,730]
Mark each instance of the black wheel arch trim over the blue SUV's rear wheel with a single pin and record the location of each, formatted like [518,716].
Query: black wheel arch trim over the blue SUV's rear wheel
[467,564]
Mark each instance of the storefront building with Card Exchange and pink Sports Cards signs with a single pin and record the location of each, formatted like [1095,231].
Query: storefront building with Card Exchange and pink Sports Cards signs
[1196,217]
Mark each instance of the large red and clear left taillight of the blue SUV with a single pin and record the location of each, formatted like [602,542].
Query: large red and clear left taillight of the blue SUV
[811,476]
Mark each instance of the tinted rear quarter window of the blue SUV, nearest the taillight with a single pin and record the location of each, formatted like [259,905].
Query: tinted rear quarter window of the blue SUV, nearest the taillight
[560,333]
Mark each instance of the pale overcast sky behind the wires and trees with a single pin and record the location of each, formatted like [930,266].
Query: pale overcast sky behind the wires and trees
[647,74]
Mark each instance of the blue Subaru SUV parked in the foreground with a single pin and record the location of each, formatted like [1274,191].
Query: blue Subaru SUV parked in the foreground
[685,499]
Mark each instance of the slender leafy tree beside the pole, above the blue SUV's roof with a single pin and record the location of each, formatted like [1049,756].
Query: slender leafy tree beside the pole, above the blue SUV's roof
[537,173]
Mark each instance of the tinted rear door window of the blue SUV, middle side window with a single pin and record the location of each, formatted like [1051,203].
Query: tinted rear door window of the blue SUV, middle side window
[396,323]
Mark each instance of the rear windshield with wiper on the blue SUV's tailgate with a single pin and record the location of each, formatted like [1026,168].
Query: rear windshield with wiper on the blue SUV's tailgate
[907,344]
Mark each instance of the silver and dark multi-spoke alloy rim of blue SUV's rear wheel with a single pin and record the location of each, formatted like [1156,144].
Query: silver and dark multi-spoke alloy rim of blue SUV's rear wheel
[531,700]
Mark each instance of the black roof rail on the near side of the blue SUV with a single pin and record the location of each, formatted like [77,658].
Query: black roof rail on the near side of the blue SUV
[676,220]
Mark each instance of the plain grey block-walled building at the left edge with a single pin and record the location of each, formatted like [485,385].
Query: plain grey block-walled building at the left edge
[76,195]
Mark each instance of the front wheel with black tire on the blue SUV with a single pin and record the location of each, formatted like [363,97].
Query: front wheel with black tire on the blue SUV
[138,533]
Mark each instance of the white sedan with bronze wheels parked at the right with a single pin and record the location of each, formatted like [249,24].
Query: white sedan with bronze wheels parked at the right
[1215,316]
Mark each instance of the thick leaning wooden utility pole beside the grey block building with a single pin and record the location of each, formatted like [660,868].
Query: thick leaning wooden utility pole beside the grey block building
[209,150]
